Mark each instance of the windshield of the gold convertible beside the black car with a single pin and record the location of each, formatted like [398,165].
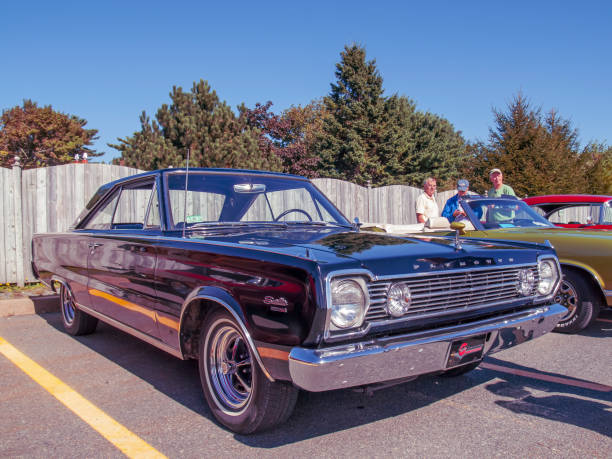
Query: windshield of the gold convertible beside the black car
[504,213]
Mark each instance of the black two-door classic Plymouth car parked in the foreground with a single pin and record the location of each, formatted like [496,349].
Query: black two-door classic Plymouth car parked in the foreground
[262,280]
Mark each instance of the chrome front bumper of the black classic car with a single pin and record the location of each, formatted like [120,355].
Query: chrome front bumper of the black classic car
[396,357]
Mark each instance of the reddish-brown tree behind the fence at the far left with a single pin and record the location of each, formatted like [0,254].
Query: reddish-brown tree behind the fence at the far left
[40,136]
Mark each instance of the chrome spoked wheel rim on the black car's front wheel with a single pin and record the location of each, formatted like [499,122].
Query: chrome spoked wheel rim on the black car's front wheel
[230,369]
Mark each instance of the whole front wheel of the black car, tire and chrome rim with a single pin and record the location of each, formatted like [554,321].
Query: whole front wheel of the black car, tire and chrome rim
[238,393]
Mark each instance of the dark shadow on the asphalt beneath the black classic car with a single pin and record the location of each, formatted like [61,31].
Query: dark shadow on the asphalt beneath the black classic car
[316,414]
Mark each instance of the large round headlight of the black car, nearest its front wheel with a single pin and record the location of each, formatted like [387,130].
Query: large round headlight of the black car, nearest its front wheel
[348,303]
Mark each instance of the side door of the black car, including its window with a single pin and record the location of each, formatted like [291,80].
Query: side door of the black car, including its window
[122,256]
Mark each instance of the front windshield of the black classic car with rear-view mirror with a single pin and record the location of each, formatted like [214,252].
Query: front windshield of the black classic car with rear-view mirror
[218,198]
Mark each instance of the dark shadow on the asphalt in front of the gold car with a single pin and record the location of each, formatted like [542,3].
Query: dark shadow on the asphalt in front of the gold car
[551,396]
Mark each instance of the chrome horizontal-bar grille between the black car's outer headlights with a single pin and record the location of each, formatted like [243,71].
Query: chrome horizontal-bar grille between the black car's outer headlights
[443,293]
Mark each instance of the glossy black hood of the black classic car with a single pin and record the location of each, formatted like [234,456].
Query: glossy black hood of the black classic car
[384,254]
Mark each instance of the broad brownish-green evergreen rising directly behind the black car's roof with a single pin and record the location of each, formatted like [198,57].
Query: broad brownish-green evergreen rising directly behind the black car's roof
[197,120]
